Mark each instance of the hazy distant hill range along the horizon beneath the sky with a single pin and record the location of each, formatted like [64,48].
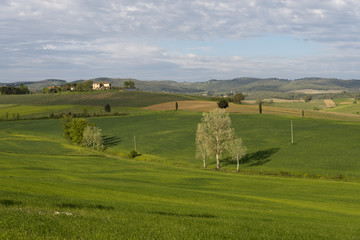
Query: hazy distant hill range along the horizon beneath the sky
[217,86]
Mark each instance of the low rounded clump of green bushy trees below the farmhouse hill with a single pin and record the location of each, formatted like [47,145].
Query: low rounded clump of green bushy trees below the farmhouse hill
[80,131]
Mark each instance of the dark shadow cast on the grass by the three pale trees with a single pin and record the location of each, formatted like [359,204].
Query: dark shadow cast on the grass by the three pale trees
[253,159]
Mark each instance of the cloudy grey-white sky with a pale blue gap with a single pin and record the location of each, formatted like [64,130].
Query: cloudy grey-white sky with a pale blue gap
[178,40]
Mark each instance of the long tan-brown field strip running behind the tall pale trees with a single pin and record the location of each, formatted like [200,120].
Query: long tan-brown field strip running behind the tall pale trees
[205,106]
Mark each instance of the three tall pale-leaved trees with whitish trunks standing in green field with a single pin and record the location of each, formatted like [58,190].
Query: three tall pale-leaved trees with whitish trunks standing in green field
[215,137]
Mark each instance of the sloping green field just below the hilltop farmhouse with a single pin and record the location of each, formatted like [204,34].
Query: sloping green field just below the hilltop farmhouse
[43,105]
